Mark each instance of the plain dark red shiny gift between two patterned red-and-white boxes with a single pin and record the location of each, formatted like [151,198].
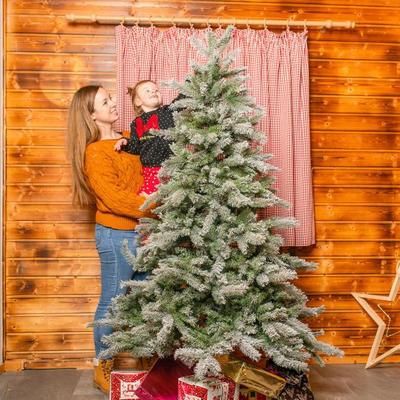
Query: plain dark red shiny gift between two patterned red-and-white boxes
[161,383]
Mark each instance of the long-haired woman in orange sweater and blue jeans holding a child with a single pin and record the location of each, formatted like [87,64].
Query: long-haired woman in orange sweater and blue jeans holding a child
[111,180]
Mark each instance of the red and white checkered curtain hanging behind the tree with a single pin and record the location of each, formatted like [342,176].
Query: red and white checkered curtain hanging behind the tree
[278,80]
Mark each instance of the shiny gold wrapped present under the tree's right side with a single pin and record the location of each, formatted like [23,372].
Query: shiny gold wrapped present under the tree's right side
[256,379]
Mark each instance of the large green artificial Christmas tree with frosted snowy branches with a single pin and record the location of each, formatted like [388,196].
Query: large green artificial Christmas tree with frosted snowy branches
[217,281]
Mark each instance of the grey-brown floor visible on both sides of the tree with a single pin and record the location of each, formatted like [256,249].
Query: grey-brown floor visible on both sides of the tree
[333,382]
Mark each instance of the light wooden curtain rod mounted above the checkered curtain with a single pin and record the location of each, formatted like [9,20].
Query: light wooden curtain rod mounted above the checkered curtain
[92,19]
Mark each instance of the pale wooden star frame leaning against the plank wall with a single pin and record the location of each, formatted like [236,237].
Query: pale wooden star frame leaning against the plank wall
[373,360]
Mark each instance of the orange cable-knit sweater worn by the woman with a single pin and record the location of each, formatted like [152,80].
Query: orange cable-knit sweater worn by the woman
[115,178]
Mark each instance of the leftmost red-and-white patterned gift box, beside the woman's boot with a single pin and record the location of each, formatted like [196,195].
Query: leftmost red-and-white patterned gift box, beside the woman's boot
[123,384]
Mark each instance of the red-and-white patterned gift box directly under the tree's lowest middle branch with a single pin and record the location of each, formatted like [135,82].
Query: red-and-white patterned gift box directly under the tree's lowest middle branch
[189,388]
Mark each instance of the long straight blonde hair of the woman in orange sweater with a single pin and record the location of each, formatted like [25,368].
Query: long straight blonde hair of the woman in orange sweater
[82,130]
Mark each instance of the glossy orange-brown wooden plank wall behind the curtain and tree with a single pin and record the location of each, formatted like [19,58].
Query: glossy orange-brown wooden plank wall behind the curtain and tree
[51,264]
